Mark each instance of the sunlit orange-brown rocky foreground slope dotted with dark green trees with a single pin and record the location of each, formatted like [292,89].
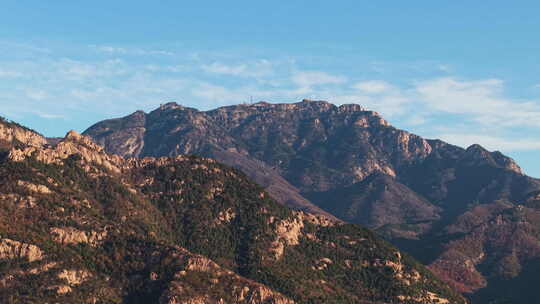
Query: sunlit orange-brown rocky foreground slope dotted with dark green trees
[81,226]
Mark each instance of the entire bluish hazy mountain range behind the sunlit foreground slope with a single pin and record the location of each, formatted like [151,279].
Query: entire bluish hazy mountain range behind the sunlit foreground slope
[470,214]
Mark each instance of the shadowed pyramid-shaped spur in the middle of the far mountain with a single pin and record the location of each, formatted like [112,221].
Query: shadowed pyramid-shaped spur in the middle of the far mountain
[382,203]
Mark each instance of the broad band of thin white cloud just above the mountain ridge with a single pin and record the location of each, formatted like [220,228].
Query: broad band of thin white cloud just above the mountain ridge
[112,81]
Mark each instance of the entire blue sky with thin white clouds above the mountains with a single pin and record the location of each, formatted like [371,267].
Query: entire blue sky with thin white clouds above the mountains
[463,71]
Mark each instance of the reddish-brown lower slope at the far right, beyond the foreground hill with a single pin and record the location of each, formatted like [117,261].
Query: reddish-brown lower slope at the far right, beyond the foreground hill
[497,242]
